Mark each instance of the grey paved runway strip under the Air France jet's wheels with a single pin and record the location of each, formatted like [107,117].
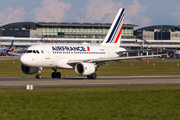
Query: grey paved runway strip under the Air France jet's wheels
[100,81]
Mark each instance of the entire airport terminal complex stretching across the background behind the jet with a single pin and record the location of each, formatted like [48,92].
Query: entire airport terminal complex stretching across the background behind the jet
[28,33]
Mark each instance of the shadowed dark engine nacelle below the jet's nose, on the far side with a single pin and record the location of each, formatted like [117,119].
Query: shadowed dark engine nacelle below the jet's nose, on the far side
[28,70]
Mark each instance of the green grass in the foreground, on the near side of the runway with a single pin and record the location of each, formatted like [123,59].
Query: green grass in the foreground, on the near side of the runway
[85,103]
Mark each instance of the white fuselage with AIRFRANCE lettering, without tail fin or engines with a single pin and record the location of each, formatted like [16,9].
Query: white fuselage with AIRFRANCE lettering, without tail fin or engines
[58,55]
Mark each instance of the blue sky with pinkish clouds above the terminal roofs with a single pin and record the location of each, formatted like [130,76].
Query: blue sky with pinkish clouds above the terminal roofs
[139,12]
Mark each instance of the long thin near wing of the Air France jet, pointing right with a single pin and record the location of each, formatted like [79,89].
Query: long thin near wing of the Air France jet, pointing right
[110,59]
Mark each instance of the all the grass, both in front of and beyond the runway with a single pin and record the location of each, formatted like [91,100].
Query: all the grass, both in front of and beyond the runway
[91,103]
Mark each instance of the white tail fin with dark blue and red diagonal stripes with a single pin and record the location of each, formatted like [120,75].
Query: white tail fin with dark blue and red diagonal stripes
[114,35]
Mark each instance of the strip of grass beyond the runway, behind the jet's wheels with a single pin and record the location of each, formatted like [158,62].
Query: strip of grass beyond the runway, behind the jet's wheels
[11,68]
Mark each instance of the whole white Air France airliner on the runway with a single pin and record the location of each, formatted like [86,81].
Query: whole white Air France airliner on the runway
[85,59]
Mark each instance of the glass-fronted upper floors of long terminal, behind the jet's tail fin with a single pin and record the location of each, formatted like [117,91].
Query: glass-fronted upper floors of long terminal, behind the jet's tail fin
[62,30]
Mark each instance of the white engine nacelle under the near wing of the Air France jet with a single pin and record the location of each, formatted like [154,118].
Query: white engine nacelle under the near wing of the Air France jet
[85,68]
